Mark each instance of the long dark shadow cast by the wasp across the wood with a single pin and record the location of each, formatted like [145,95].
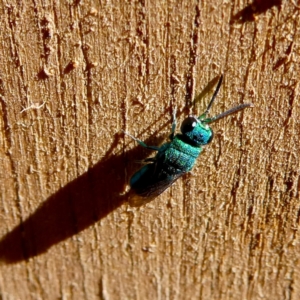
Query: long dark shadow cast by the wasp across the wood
[79,204]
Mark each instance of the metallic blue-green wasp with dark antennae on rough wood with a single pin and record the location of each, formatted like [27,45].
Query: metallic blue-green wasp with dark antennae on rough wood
[177,157]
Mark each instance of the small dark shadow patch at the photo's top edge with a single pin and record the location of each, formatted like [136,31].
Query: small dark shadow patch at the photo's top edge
[257,7]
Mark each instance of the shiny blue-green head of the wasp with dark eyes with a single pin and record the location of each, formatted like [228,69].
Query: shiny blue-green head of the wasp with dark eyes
[196,132]
